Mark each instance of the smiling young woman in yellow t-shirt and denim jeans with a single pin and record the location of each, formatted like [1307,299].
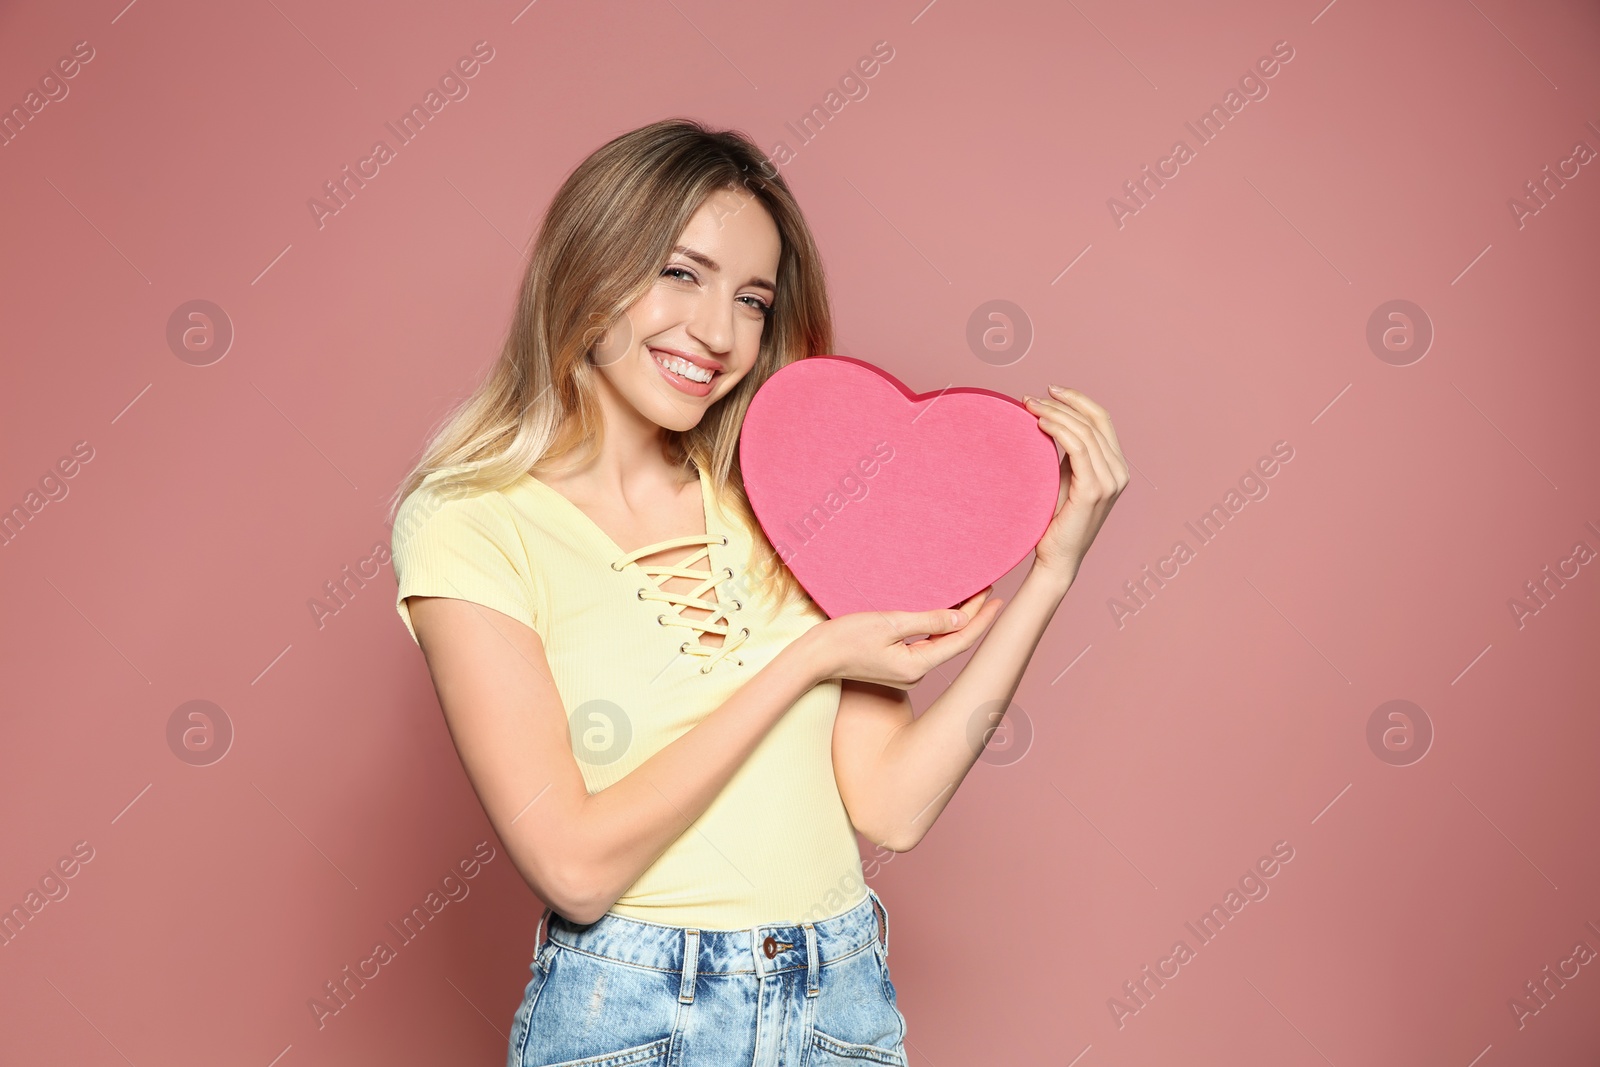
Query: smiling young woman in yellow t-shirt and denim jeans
[673,741]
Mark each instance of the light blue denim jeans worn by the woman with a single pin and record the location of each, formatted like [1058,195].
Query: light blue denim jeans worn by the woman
[623,993]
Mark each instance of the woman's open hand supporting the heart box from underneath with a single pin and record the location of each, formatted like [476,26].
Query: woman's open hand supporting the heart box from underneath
[871,645]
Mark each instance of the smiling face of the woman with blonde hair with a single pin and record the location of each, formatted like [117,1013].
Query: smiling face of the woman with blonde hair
[705,314]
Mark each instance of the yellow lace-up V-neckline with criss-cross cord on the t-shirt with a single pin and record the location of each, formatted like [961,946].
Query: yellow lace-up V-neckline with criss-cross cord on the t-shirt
[718,621]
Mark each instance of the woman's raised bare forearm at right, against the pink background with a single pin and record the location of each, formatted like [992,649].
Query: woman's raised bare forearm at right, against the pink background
[926,761]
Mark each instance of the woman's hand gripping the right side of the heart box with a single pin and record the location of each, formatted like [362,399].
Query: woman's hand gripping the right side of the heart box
[1094,476]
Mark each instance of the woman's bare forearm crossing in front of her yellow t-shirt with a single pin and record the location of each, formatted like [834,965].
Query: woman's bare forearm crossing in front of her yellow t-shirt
[623,829]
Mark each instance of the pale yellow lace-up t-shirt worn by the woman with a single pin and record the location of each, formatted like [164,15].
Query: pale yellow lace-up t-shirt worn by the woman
[777,844]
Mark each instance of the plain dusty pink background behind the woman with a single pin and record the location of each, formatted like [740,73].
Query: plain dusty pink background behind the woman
[1167,754]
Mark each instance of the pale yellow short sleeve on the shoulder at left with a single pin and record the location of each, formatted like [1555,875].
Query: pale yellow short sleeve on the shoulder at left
[466,548]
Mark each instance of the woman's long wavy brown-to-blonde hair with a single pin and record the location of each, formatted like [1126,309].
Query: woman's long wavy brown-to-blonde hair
[602,241]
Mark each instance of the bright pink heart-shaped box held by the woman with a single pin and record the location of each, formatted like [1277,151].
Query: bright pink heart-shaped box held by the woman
[879,498]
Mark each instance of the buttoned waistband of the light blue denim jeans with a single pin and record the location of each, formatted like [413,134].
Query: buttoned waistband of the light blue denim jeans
[764,949]
